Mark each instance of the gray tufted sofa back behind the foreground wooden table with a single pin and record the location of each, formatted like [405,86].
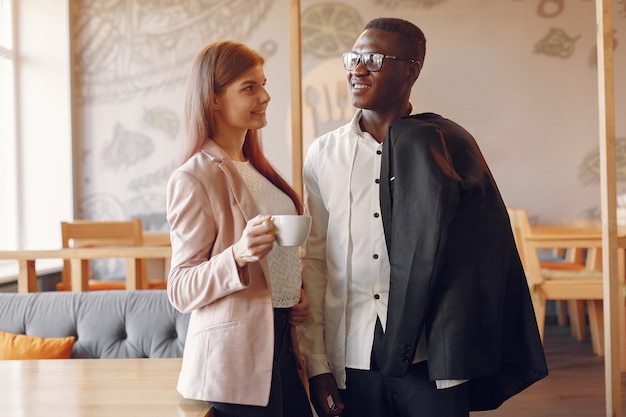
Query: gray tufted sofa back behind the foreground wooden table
[107,324]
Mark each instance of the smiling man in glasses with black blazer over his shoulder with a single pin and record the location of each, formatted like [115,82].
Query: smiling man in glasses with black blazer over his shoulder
[419,305]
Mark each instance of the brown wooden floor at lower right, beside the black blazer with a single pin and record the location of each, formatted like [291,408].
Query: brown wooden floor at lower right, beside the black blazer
[574,388]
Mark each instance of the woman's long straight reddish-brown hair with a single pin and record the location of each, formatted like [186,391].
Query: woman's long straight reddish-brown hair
[216,66]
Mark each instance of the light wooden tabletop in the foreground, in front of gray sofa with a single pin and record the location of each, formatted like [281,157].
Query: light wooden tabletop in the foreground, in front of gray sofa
[94,388]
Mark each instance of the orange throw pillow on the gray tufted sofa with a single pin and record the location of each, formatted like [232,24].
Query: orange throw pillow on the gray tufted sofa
[21,346]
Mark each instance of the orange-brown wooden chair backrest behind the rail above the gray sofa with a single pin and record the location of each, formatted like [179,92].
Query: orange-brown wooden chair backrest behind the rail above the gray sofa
[94,233]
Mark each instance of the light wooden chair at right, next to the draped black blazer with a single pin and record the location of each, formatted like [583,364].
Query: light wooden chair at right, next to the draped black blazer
[571,285]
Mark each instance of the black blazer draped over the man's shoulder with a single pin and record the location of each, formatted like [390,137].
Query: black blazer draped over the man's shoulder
[455,269]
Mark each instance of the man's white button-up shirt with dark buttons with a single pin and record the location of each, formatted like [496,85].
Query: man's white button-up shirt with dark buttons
[346,265]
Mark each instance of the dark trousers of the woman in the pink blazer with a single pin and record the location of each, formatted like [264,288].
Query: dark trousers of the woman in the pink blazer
[288,397]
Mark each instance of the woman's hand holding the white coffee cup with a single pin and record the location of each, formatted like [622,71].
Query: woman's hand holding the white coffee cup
[256,241]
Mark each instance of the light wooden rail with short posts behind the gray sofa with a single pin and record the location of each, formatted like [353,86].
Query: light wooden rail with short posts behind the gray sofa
[27,276]
